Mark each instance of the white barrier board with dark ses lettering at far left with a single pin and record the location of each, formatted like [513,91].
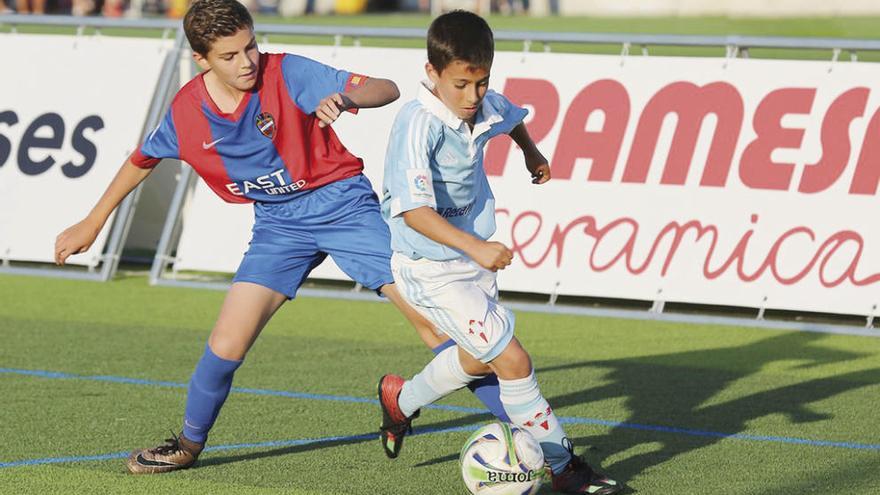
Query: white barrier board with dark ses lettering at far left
[71,110]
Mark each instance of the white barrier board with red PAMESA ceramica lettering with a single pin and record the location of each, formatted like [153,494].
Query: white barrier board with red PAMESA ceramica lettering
[733,182]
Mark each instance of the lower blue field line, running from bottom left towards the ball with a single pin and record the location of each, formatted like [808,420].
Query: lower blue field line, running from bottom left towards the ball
[234,446]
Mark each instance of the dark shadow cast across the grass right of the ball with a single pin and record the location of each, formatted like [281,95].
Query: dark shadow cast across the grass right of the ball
[676,391]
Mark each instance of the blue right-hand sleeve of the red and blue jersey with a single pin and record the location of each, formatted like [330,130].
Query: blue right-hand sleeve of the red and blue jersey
[309,81]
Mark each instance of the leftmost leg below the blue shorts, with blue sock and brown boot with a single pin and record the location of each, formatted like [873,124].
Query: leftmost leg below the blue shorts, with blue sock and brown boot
[245,312]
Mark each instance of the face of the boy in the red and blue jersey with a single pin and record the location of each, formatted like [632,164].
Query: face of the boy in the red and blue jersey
[233,59]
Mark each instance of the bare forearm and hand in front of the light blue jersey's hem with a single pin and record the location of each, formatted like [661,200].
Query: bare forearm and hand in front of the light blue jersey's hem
[488,254]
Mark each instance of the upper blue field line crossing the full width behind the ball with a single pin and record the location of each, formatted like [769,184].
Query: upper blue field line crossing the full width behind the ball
[465,410]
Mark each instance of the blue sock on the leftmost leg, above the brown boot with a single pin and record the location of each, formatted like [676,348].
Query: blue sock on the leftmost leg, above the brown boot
[208,389]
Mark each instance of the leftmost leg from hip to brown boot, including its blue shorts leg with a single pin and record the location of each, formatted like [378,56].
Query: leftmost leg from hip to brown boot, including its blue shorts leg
[282,252]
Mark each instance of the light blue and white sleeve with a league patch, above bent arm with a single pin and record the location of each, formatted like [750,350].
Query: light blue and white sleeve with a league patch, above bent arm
[414,138]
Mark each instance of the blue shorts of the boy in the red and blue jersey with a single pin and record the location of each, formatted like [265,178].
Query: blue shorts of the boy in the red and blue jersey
[341,219]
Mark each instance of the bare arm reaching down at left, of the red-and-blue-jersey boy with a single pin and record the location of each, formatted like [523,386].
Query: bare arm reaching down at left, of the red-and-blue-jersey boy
[79,237]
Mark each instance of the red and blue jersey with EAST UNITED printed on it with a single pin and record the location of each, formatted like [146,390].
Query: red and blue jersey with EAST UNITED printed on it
[271,147]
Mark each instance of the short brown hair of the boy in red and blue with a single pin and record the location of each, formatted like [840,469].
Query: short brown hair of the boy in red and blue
[208,20]
